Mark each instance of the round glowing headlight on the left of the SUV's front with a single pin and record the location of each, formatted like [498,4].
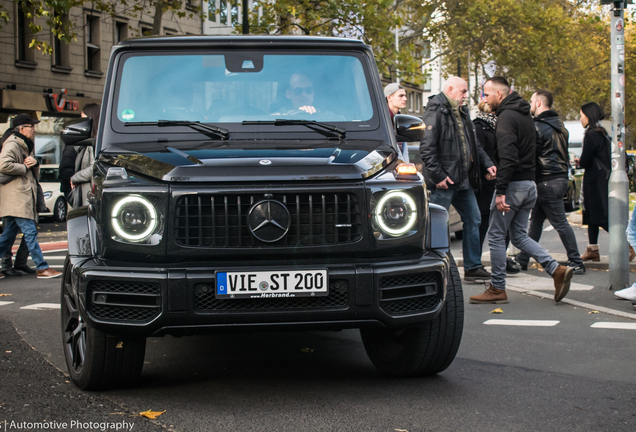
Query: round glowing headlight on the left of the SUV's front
[134,218]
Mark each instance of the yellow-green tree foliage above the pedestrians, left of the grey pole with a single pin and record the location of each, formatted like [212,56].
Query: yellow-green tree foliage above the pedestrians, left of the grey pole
[556,45]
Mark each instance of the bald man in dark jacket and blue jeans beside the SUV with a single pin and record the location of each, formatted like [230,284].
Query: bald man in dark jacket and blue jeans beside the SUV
[452,161]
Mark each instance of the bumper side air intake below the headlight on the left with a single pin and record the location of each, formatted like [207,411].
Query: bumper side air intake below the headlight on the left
[136,302]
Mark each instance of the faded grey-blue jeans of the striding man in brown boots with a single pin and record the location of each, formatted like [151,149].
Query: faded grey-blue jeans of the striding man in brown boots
[520,196]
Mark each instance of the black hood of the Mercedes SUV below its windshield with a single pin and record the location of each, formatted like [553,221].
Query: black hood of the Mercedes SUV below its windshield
[252,161]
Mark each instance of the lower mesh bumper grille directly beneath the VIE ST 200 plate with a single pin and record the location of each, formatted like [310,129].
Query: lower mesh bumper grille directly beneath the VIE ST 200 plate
[205,301]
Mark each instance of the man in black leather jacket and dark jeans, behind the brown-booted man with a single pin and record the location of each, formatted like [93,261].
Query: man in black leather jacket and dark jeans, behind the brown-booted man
[552,179]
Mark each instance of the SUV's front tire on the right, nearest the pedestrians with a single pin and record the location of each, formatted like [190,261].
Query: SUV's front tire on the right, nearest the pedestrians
[425,350]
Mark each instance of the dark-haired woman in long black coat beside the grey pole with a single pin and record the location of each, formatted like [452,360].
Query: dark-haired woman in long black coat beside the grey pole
[596,160]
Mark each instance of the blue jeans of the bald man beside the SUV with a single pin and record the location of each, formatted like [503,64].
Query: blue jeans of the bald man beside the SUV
[465,203]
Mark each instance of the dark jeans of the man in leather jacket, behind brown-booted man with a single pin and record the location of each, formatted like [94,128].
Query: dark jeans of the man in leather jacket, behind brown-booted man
[550,205]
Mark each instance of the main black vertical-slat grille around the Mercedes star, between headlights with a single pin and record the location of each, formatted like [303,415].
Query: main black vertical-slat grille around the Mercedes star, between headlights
[220,220]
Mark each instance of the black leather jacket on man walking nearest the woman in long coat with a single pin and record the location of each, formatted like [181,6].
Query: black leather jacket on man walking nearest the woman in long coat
[552,146]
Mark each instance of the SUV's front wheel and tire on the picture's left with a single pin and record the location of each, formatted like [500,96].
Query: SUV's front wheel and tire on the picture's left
[95,360]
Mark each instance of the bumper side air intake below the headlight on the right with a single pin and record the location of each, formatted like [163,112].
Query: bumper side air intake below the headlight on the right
[410,294]
